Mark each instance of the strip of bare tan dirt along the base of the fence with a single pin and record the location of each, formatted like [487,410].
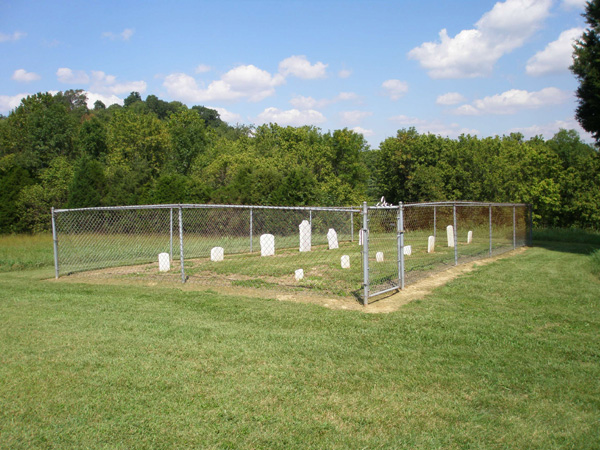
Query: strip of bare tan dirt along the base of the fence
[227,285]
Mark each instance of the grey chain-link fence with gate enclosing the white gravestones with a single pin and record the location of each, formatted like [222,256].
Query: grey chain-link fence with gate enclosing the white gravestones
[363,251]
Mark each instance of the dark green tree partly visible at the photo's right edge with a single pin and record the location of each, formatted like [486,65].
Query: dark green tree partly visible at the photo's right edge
[586,67]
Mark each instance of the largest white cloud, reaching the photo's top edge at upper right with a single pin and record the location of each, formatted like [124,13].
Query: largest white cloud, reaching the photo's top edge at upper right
[473,53]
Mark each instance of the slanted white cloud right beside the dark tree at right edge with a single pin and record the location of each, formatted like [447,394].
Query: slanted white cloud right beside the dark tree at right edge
[557,56]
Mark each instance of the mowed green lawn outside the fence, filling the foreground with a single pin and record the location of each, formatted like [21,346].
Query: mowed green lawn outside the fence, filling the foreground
[504,357]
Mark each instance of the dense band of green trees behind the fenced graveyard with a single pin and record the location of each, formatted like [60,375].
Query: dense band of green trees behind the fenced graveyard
[54,151]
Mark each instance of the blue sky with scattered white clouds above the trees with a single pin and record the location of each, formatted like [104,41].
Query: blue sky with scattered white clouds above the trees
[447,67]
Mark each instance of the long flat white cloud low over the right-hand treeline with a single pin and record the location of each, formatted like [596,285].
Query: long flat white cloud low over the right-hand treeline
[513,101]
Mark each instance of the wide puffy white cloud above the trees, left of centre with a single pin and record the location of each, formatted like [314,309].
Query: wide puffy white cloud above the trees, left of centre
[241,82]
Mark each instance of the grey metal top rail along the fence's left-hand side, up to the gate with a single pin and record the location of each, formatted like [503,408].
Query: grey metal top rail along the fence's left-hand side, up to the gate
[210,206]
